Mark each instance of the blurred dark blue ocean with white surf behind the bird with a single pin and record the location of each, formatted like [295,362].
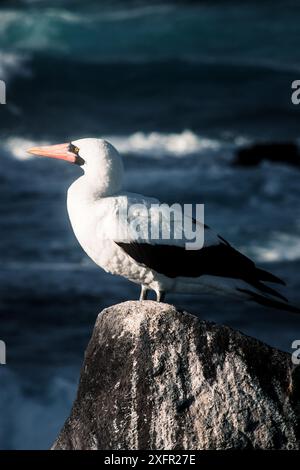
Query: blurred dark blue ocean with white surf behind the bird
[179,88]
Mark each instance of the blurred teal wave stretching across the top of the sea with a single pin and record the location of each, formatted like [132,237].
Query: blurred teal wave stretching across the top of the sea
[54,29]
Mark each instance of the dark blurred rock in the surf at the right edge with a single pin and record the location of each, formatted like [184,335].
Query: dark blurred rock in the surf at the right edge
[274,152]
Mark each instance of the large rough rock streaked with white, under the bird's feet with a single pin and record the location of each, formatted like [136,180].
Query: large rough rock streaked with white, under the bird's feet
[157,378]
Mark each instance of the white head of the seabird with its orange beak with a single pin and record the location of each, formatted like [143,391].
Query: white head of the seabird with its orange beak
[100,161]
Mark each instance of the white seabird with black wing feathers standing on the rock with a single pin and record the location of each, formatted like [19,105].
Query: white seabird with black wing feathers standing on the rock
[96,200]
